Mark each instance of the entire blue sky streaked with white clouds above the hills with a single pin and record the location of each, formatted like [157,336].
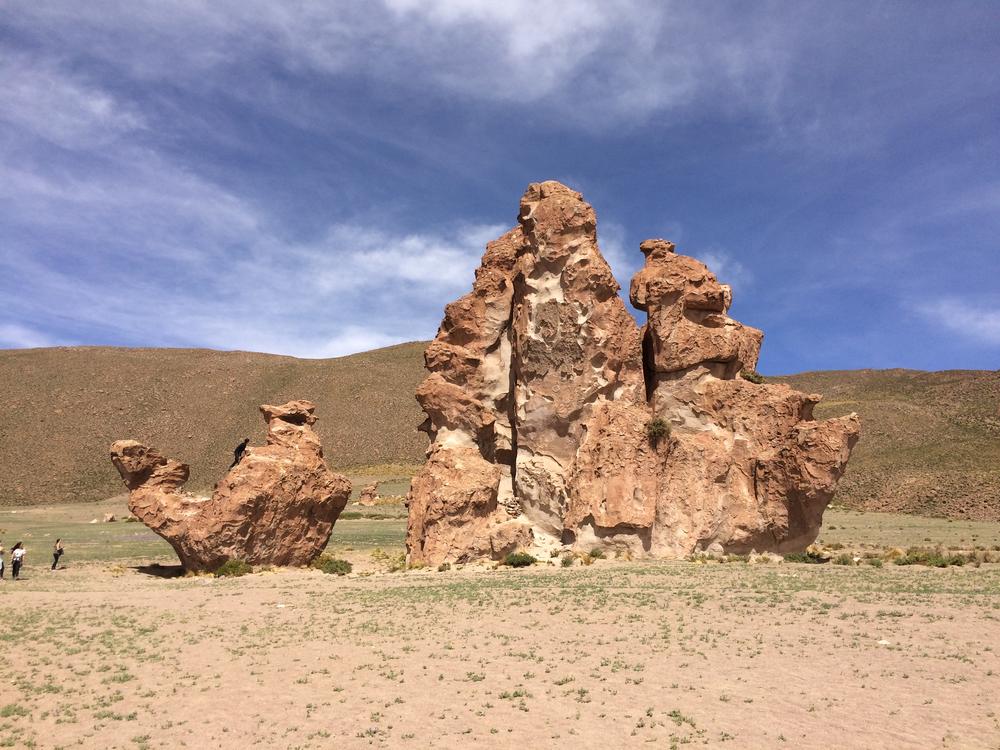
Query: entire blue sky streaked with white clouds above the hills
[319,178]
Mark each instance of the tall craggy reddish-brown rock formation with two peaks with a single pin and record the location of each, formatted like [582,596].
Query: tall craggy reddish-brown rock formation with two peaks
[556,421]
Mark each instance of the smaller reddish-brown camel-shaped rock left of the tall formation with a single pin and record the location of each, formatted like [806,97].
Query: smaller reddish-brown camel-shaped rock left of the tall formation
[277,506]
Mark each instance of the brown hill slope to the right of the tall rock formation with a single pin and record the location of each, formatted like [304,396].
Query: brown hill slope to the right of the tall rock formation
[930,441]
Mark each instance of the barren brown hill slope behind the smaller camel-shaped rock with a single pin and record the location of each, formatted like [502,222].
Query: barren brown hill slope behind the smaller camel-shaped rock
[64,408]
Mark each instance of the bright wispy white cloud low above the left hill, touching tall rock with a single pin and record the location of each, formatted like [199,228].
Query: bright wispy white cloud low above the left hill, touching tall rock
[168,256]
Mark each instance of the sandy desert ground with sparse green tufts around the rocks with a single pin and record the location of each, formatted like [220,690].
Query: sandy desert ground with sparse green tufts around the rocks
[116,650]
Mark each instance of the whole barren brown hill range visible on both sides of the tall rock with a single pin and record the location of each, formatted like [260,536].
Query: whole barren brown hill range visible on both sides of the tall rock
[930,441]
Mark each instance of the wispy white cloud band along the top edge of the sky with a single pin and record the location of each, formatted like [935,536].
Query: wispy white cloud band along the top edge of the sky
[591,63]
